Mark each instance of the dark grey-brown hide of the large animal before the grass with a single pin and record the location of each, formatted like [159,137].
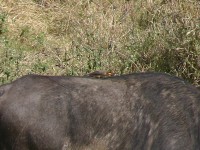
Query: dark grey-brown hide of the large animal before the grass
[144,111]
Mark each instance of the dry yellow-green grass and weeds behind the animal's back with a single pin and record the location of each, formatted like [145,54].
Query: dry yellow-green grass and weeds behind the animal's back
[75,37]
